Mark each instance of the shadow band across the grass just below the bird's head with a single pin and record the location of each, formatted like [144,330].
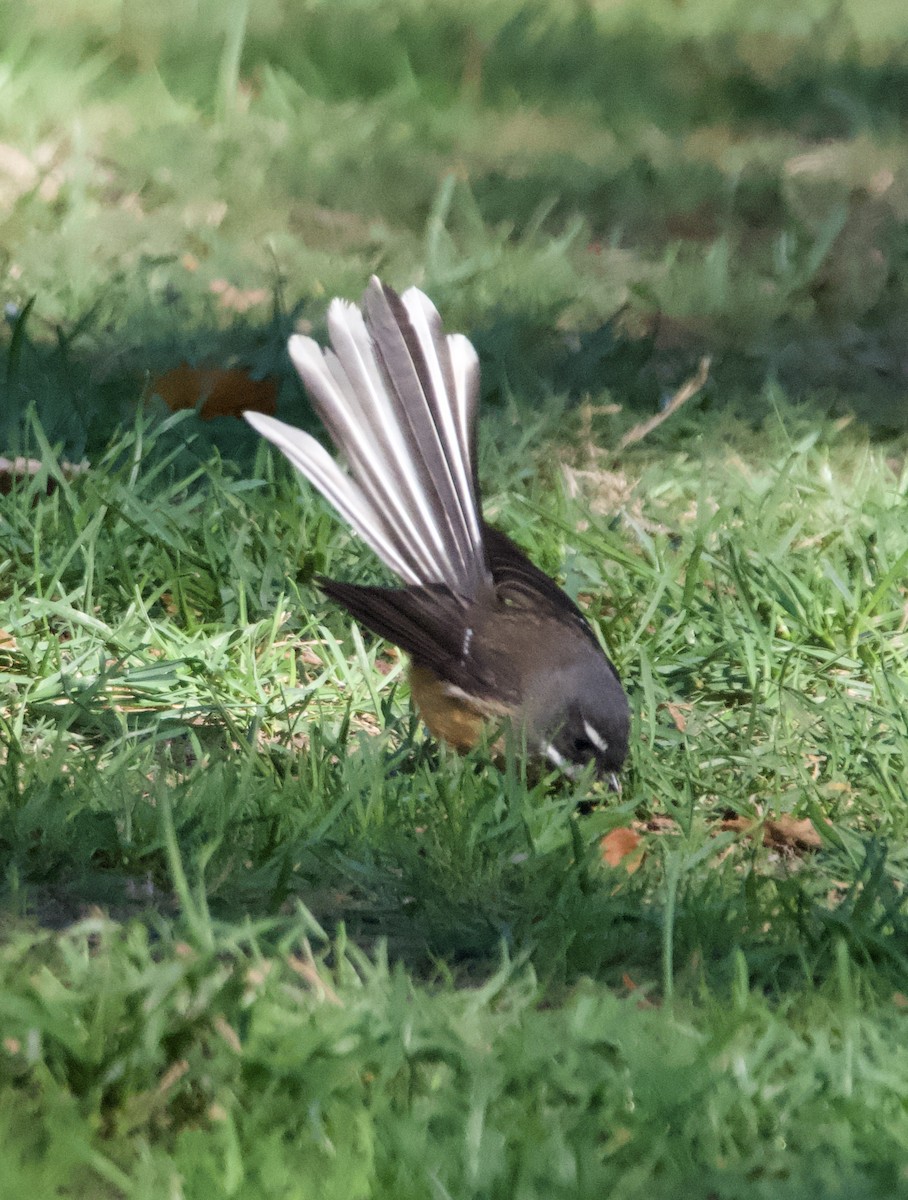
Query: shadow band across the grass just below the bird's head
[444,865]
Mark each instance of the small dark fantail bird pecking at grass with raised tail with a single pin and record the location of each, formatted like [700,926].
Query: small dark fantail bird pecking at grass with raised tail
[491,638]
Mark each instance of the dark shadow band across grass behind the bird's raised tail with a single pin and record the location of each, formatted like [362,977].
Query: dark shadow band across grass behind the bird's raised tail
[85,398]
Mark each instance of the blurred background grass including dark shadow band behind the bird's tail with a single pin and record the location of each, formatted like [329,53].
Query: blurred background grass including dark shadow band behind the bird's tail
[597,193]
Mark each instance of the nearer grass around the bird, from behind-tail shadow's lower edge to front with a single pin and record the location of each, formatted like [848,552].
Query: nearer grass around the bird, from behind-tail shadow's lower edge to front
[300,967]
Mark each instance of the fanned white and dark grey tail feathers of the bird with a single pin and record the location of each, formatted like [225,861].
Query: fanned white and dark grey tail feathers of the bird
[399,399]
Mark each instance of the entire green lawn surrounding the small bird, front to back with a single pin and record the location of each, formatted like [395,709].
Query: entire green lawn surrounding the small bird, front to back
[261,937]
